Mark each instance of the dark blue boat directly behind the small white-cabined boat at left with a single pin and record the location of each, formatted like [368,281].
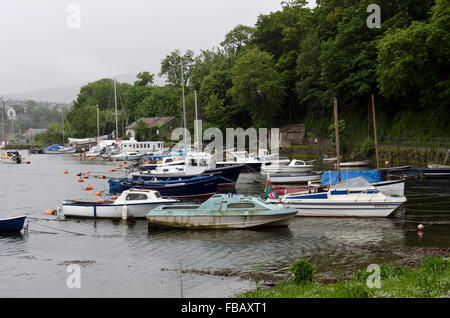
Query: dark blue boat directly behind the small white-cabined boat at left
[198,187]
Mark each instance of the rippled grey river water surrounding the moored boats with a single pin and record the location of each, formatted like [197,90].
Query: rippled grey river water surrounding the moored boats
[127,260]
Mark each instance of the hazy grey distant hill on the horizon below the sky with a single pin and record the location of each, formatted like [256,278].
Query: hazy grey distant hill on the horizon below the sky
[67,94]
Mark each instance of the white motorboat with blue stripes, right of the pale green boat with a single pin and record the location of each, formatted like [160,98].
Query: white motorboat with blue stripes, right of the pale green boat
[352,198]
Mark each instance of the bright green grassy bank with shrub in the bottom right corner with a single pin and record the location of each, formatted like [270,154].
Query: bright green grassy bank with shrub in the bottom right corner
[430,279]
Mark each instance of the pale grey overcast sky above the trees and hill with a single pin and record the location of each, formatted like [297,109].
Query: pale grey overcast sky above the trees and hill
[39,50]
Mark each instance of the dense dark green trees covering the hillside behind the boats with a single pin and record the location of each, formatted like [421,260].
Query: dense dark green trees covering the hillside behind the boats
[288,67]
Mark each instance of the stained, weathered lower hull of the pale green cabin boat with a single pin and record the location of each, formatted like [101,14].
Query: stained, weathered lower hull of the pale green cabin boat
[220,222]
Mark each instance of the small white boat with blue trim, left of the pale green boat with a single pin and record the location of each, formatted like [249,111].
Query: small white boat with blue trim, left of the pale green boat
[131,203]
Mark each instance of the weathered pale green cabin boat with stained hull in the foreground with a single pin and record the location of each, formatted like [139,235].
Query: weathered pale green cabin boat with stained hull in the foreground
[222,211]
